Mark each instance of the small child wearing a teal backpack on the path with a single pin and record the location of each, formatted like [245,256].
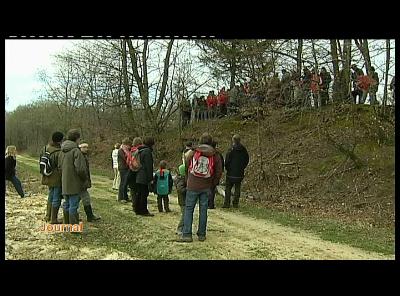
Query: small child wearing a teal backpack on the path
[163,186]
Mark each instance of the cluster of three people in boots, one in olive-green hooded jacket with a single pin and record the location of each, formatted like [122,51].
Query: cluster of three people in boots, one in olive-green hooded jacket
[69,179]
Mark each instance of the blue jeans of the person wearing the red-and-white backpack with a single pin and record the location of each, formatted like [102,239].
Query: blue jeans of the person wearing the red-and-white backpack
[191,200]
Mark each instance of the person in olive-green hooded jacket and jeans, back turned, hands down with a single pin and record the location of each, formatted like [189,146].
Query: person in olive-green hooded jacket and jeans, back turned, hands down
[74,174]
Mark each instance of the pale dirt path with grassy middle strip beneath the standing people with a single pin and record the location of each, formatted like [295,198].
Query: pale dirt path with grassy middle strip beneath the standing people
[123,235]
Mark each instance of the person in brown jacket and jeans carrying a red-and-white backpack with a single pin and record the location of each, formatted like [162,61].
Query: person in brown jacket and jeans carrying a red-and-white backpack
[204,171]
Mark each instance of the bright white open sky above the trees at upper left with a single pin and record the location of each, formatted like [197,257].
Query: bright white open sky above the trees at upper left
[23,59]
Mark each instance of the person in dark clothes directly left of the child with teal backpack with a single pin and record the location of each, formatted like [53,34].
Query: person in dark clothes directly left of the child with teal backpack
[144,176]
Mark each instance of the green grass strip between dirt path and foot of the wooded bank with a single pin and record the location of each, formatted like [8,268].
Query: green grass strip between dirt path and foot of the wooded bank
[381,240]
